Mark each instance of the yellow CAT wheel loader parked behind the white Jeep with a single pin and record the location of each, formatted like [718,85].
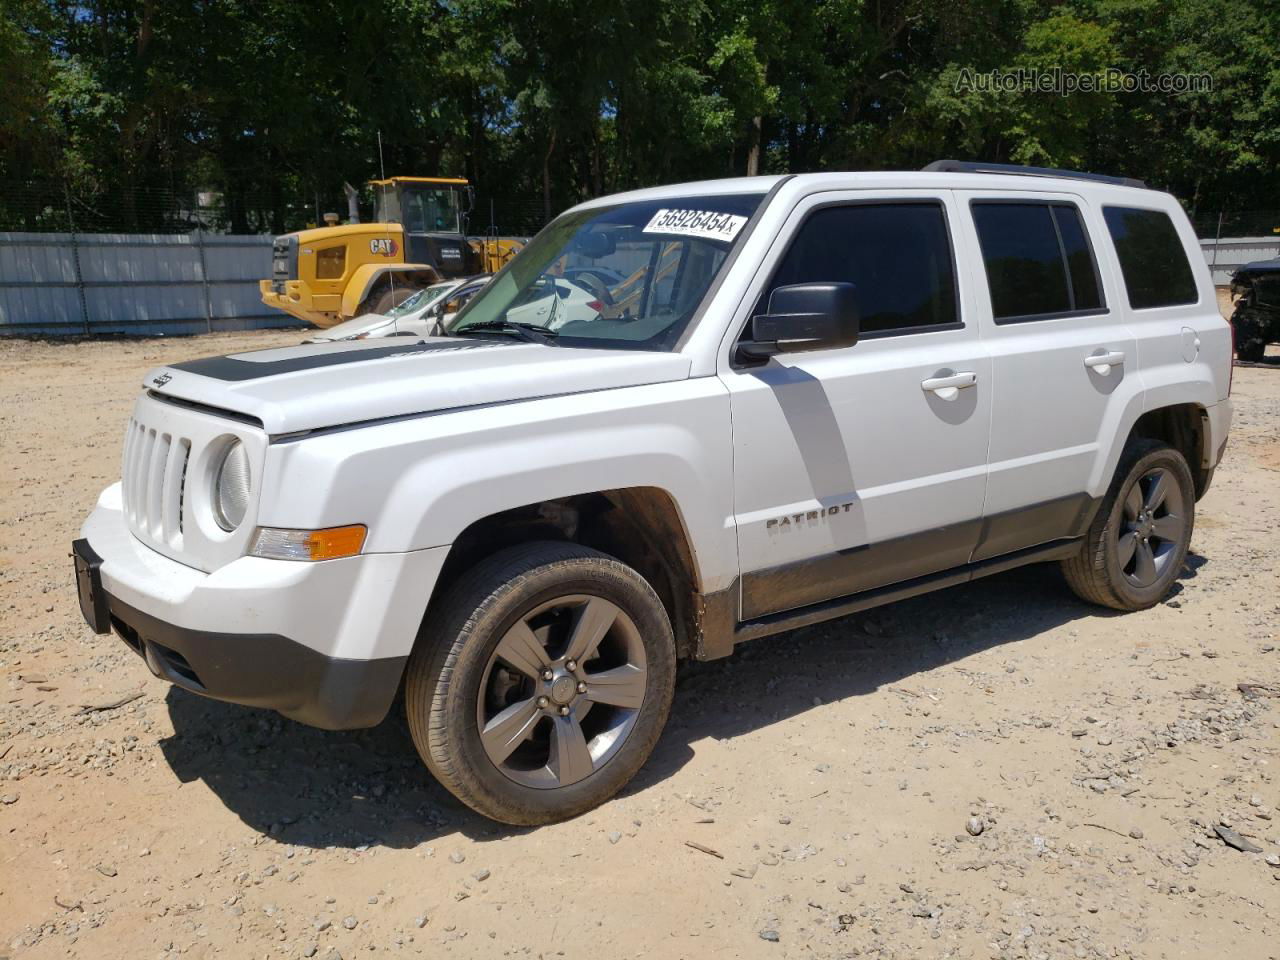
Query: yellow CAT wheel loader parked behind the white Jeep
[331,275]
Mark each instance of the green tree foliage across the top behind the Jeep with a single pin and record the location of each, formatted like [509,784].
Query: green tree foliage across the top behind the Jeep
[121,109]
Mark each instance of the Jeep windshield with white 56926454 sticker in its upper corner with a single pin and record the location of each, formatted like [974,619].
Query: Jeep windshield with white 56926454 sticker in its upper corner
[628,277]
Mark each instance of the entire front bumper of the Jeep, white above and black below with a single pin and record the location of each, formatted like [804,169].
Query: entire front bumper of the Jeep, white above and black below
[322,643]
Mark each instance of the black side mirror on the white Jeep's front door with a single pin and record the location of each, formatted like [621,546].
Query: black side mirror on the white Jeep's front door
[806,317]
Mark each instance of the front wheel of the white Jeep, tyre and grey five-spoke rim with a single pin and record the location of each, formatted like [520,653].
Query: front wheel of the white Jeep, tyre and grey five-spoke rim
[542,683]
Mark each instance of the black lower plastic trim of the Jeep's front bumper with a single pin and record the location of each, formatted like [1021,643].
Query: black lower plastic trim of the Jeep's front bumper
[263,670]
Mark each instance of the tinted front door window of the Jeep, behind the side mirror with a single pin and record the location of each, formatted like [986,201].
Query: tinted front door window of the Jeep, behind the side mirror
[897,255]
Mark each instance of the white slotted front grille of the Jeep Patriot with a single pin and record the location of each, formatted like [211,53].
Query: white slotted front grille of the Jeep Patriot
[154,482]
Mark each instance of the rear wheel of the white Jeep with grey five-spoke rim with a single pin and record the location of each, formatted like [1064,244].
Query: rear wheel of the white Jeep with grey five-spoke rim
[1139,541]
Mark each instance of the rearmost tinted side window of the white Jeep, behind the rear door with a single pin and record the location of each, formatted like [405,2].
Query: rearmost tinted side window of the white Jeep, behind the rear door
[1153,258]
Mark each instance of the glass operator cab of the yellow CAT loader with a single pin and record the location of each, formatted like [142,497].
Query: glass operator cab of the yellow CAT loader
[433,213]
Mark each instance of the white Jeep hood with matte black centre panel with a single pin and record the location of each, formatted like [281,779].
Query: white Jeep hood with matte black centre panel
[331,385]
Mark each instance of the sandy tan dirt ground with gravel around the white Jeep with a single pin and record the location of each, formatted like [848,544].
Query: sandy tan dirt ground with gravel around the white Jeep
[810,798]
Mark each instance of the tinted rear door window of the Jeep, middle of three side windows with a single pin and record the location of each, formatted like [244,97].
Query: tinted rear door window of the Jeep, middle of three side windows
[1039,260]
